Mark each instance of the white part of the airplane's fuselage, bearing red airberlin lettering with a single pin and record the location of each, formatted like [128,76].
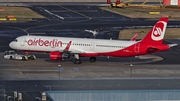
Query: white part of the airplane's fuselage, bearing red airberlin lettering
[79,45]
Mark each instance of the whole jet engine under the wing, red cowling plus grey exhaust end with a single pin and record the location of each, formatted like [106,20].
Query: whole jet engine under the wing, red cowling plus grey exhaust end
[59,55]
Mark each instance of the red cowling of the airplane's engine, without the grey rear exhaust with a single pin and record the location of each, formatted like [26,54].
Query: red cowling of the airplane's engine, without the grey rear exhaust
[55,55]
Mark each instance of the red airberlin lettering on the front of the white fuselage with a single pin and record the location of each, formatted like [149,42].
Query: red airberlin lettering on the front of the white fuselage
[46,43]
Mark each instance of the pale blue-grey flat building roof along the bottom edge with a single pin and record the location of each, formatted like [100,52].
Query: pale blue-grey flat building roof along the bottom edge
[115,95]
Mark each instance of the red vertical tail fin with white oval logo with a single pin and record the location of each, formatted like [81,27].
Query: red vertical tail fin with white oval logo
[156,34]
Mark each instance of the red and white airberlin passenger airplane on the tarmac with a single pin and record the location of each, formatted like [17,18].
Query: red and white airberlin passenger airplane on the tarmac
[61,48]
